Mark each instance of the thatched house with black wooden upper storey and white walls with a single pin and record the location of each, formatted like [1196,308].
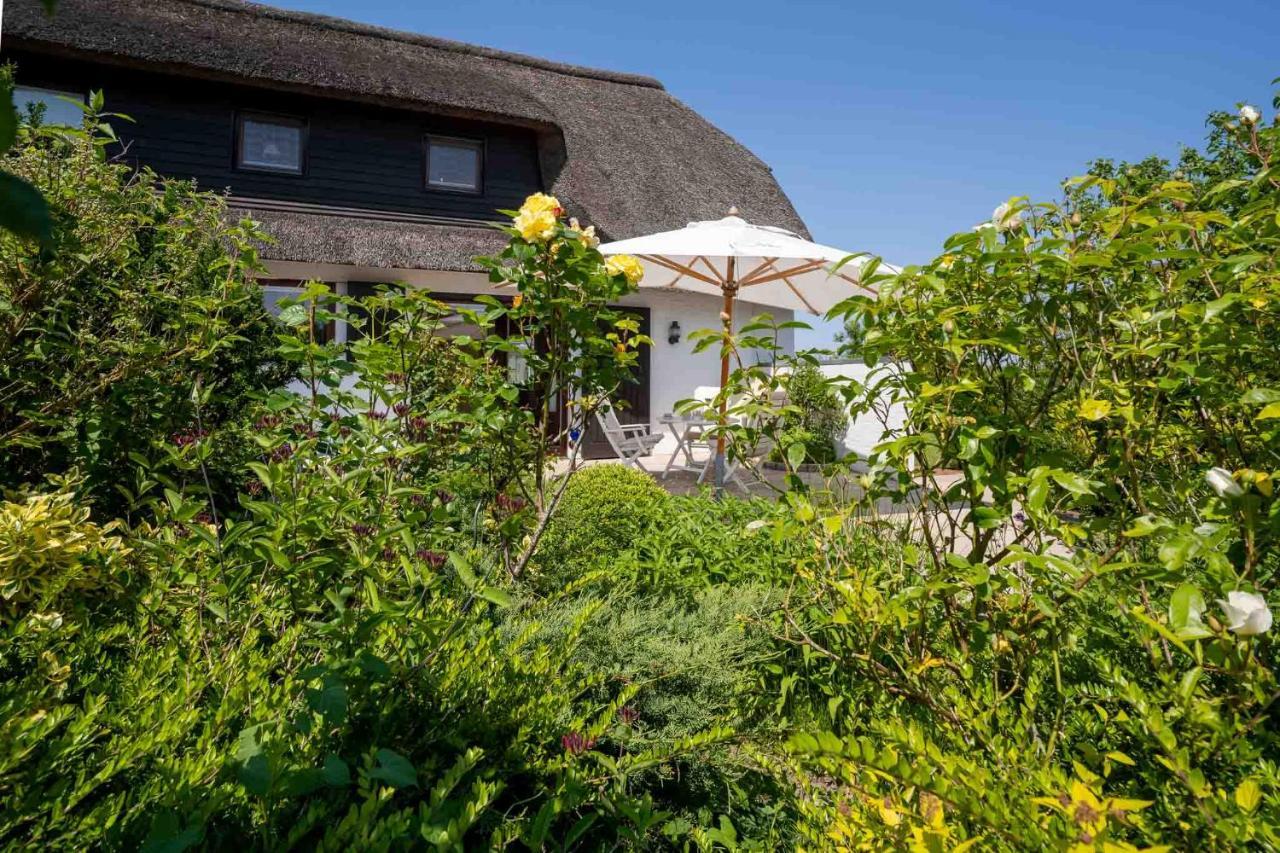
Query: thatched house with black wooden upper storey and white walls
[372,156]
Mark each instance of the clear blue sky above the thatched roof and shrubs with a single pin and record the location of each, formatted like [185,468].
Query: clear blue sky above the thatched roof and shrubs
[894,125]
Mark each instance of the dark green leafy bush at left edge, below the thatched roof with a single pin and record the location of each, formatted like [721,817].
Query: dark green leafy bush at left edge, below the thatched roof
[149,293]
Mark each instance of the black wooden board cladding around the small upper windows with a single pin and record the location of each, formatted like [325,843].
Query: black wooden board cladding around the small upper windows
[359,157]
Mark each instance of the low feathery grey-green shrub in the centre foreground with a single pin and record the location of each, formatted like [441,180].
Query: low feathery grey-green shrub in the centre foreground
[693,667]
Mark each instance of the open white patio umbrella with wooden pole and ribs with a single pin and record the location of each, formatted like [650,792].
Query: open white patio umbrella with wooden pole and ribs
[734,259]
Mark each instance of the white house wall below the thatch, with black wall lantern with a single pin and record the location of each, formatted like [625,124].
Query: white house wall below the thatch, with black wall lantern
[675,370]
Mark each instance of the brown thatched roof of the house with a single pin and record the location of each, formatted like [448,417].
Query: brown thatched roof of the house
[619,149]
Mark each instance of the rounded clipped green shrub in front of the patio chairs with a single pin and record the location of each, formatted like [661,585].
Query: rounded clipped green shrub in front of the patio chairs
[604,510]
